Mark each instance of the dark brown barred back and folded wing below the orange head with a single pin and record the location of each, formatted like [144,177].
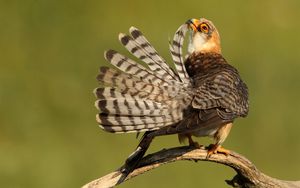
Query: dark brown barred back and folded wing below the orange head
[218,85]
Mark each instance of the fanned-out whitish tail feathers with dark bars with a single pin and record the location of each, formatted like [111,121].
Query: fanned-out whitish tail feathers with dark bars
[135,98]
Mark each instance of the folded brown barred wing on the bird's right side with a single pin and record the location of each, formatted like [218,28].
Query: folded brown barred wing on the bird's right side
[224,90]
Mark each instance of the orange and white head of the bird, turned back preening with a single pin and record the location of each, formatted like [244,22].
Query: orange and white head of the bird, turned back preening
[204,37]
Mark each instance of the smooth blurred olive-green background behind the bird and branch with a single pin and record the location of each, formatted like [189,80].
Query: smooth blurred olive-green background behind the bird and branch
[50,52]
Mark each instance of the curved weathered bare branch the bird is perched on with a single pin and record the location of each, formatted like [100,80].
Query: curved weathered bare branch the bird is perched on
[247,176]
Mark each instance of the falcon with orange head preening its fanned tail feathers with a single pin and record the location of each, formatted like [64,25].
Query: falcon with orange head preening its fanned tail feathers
[201,96]
